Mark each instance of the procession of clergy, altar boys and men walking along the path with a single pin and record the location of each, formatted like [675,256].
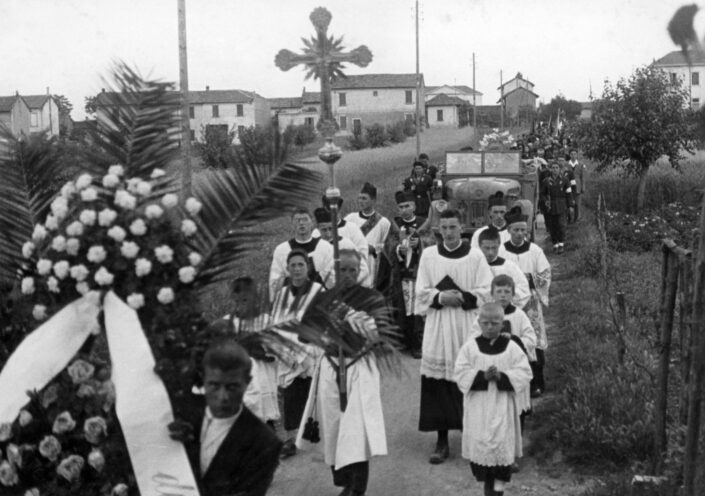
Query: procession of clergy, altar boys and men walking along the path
[470,309]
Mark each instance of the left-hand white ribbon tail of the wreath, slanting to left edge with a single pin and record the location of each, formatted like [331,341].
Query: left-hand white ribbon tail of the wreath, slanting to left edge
[46,352]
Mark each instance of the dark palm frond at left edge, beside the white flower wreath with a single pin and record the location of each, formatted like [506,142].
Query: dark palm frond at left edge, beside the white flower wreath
[30,178]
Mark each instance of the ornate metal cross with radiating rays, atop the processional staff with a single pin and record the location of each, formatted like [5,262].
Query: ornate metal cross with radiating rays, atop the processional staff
[323,57]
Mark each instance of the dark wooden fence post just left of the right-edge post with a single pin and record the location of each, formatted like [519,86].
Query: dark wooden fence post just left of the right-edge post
[669,291]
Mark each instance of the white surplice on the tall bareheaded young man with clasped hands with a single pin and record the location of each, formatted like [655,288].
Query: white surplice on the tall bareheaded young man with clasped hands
[447,328]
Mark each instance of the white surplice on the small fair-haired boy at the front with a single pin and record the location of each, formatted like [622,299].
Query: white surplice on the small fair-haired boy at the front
[491,427]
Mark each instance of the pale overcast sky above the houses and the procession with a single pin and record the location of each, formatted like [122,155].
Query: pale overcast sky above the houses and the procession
[562,46]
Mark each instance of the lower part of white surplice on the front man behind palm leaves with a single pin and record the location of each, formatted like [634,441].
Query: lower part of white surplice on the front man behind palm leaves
[357,434]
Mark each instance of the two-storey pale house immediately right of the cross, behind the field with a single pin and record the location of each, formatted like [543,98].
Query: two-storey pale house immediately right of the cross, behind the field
[367,99]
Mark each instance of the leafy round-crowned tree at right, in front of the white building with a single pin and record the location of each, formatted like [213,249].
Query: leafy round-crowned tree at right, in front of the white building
[636,122]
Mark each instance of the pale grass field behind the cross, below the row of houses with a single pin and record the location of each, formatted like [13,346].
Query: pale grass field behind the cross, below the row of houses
[386,168]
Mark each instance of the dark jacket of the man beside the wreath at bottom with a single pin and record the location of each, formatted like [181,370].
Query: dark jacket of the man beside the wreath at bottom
[244,464]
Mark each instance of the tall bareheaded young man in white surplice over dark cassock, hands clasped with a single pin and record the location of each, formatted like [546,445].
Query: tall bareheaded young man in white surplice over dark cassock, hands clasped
[452,281]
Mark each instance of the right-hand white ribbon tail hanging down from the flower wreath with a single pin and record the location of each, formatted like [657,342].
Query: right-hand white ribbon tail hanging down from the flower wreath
[160,464]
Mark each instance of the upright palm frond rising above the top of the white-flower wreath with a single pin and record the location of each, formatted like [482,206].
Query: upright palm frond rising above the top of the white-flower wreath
[137,125]
